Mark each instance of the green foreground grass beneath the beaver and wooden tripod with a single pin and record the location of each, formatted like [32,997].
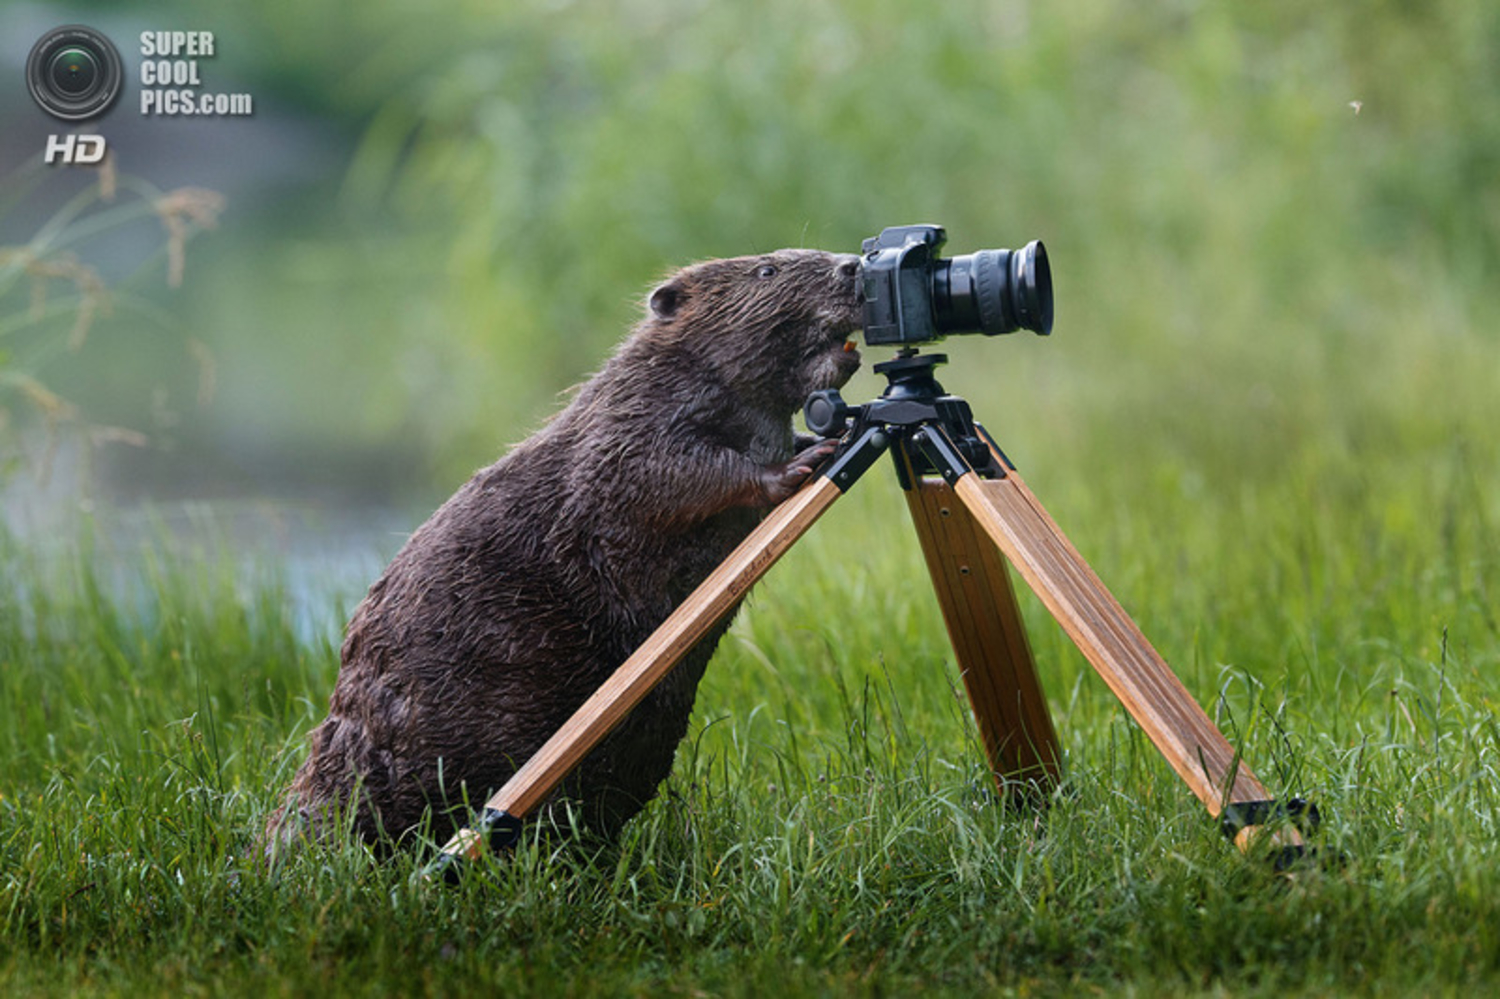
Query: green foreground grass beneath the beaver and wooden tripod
[829,827]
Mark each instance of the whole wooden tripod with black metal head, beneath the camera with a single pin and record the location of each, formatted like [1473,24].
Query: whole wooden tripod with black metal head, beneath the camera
[970,506]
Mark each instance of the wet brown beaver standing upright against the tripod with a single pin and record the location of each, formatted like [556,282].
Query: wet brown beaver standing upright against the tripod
[539,577]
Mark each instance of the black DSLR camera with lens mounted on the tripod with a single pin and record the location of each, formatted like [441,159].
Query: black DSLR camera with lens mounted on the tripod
[914,298]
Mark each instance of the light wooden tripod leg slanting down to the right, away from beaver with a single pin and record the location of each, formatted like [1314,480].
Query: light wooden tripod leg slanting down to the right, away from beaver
[1007,511]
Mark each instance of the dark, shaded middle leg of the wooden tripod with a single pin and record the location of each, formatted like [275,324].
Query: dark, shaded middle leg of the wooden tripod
[989,640]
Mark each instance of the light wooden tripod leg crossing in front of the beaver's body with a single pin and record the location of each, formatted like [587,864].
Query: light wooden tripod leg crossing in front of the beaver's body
[650,664]
